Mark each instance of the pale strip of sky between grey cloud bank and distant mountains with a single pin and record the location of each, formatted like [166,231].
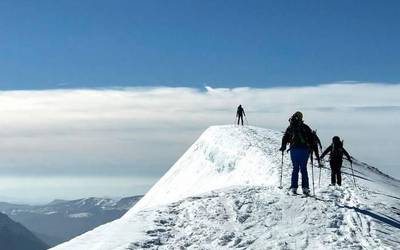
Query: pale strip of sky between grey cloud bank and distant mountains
[44,189]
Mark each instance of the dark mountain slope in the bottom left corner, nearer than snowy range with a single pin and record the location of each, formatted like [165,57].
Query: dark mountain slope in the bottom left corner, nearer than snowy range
[14,236]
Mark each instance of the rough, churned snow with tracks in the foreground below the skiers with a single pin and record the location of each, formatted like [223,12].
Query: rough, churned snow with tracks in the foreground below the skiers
[266,218]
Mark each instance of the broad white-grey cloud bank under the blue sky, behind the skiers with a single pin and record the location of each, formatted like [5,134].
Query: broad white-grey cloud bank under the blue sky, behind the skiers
[142,131]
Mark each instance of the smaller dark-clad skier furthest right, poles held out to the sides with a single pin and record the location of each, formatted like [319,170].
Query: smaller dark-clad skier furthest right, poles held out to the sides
[336,151]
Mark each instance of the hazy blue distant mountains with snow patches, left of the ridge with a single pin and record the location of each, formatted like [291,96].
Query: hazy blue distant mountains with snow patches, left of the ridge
[61,220]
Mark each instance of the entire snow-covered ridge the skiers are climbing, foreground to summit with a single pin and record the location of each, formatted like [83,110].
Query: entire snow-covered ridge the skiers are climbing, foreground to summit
[223,193]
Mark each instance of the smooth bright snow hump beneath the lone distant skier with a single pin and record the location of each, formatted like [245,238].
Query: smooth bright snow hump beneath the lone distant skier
[223,156]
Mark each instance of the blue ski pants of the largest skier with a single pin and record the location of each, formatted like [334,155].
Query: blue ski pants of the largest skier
[299,158]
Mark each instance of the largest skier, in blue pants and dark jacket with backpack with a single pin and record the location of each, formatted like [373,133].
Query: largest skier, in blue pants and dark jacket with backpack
[302,144]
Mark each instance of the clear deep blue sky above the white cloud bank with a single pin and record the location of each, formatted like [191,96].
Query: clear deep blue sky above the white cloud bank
[69,44]
